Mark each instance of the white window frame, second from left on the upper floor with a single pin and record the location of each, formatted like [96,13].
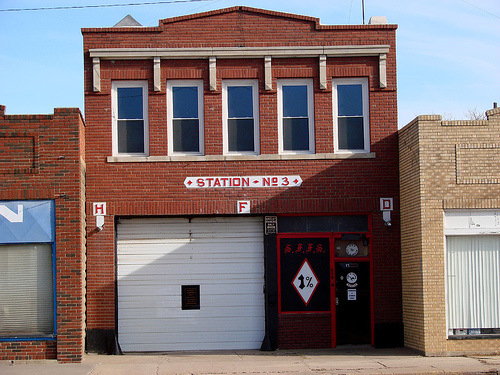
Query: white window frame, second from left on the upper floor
[170,111]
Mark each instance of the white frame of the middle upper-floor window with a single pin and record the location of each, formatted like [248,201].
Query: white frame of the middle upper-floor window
[255,103]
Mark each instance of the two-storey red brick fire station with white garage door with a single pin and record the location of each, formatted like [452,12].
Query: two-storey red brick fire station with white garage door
[236,161]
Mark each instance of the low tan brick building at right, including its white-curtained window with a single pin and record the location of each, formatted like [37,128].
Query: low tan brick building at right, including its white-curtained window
[450,220]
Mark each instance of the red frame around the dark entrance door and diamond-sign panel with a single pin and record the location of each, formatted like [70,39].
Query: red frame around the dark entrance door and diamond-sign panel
[333,260]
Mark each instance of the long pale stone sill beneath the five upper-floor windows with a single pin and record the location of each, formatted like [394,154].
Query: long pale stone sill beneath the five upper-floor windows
[208,158]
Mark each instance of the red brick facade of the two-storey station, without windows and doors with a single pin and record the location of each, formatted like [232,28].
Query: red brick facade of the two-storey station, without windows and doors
[332,184]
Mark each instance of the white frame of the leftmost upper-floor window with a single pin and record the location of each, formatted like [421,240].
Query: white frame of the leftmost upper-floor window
[114,114]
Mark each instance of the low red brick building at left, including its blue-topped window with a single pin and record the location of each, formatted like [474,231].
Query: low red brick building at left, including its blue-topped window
[42,235]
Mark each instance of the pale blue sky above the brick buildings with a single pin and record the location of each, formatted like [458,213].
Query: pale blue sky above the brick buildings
[448,51]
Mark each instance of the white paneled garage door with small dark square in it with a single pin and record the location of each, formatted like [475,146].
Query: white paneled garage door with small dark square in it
[156,257]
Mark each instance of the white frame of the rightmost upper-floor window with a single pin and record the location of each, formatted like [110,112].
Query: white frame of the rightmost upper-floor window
[366,113]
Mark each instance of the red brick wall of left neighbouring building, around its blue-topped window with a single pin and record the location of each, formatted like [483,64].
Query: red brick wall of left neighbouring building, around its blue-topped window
[42,158]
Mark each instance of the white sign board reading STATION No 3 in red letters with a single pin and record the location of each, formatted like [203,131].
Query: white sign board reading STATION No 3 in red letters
[218,182]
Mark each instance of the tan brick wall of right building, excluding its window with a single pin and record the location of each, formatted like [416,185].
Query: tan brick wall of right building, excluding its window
[443,165]
